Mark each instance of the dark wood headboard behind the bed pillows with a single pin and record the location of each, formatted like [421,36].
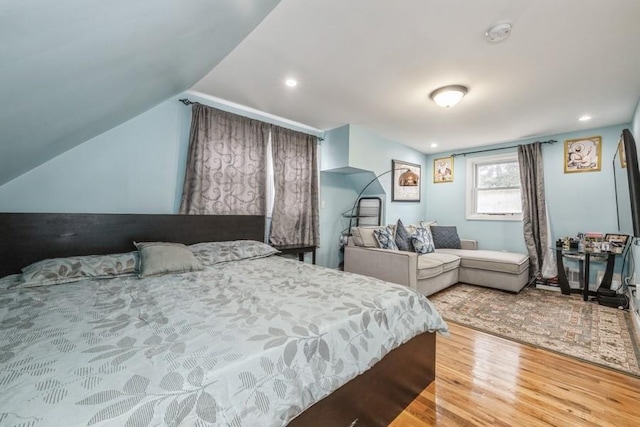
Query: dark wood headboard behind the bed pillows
[29,237]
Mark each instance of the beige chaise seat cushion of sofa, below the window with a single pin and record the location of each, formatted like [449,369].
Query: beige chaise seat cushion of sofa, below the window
[506,262]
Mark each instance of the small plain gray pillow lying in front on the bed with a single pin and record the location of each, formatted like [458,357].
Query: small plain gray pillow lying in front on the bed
[162,257]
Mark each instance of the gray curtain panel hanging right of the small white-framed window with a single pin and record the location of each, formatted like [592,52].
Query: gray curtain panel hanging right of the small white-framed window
[537,234]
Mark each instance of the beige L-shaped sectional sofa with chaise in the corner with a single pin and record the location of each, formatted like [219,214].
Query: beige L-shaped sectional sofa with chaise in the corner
[431,272]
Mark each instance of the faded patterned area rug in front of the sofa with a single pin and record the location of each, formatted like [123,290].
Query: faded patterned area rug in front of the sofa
[562,323]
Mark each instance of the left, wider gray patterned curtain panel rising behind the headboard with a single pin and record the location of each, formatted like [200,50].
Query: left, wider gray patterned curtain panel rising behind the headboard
[226,172]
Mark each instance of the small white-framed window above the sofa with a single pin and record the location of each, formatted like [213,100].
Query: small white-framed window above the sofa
[493,188]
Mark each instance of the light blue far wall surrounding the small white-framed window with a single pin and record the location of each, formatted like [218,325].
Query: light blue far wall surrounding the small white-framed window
[576,202]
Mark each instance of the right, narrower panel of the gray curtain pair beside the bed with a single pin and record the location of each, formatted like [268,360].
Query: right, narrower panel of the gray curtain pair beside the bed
[295,208]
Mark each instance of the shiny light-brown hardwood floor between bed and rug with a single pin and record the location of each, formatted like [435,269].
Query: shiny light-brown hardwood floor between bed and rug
[483,380]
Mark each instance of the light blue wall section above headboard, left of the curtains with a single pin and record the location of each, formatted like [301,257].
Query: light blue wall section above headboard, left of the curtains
[137,167]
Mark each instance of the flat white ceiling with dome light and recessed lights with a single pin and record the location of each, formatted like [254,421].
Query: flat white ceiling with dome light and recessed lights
[373,63]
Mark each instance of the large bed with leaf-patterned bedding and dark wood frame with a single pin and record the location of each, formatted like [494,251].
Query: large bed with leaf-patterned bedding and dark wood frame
[250,339]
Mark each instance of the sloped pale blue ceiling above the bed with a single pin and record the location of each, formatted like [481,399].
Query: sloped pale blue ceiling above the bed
[72,69]
